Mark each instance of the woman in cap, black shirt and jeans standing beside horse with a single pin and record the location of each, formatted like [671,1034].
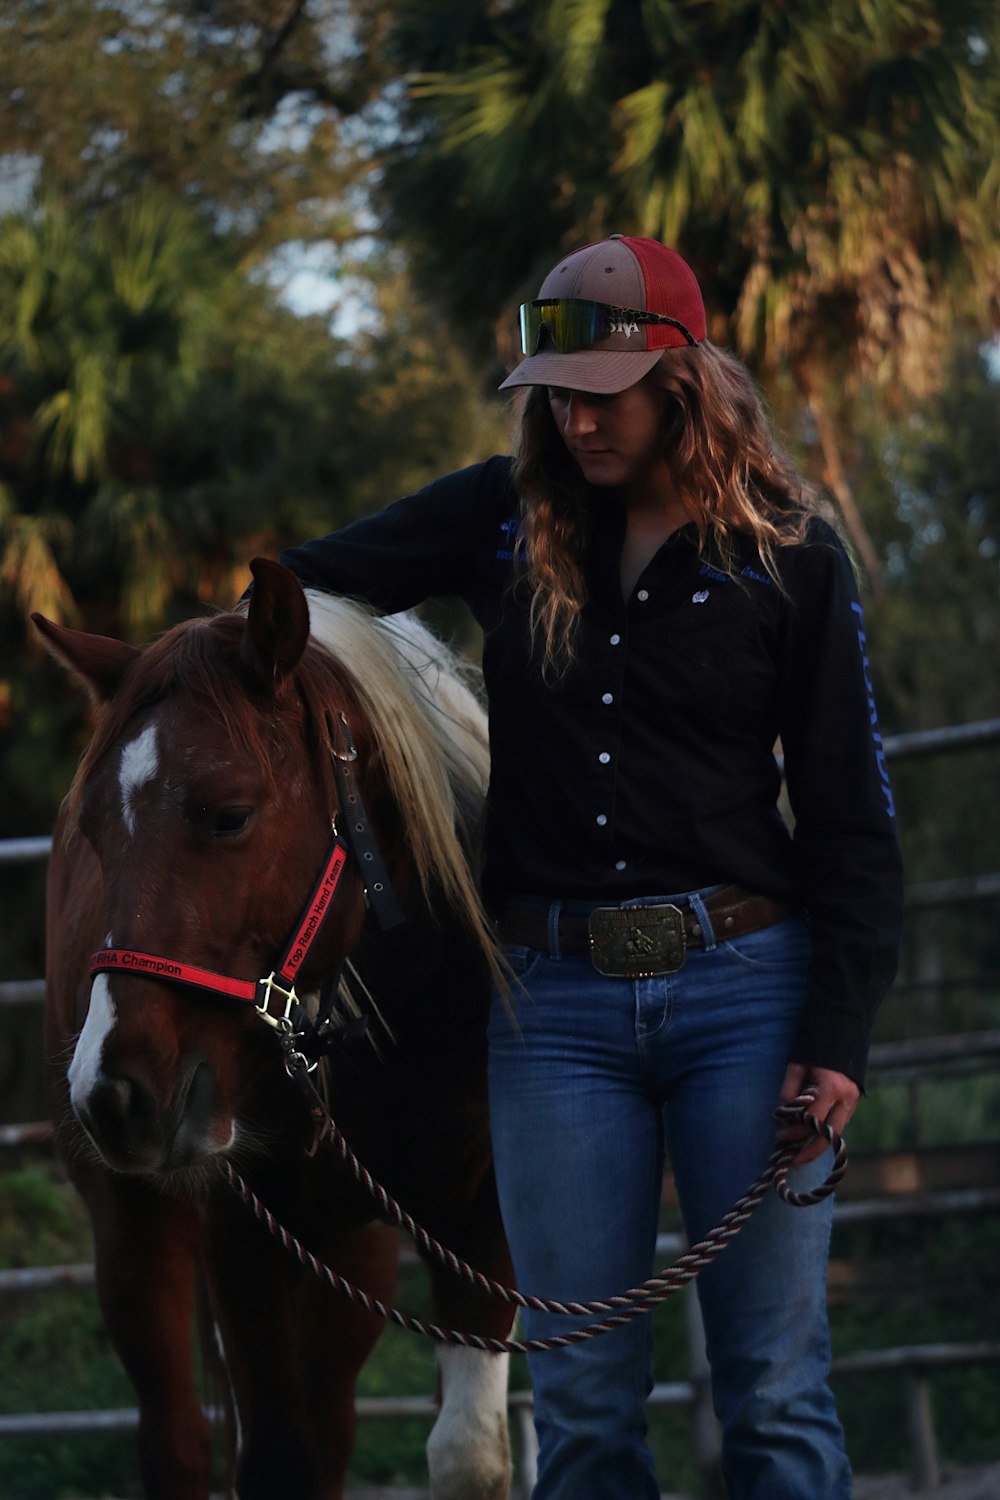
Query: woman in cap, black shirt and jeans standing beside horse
[660,605]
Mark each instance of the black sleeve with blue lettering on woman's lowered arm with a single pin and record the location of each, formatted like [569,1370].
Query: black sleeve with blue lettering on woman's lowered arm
[845,838]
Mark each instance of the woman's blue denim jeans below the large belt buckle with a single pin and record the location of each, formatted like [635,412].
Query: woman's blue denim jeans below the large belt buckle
[584,1093]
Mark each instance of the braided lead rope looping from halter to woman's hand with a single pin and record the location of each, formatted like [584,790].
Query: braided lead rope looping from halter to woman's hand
[635,1303]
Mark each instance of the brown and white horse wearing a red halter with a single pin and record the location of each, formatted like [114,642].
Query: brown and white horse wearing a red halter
[196,832]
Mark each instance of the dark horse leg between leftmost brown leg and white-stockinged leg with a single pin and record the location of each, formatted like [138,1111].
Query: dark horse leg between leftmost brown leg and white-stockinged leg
[295,1349]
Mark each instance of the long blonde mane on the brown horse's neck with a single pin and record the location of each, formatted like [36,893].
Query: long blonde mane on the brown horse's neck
[431,730]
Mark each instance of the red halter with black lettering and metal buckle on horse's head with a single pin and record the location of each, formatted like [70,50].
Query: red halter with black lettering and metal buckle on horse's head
[274,997]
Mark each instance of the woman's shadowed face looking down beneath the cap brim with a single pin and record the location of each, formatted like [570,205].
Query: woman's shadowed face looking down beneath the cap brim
[615,440]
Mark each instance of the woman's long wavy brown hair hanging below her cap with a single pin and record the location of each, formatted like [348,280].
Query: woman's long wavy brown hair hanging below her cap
[725,467]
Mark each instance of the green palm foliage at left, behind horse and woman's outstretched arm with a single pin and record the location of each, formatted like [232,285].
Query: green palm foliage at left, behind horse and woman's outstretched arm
[163,419]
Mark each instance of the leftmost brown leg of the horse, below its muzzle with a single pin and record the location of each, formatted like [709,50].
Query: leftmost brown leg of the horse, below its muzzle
[146,1256]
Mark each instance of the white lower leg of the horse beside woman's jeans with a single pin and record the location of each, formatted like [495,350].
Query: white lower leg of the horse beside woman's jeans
[469,1451]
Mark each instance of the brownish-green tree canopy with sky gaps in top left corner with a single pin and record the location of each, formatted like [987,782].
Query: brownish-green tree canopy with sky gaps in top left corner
[235,104]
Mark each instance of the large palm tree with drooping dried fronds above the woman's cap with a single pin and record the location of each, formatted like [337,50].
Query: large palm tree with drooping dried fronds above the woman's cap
[831,170]
